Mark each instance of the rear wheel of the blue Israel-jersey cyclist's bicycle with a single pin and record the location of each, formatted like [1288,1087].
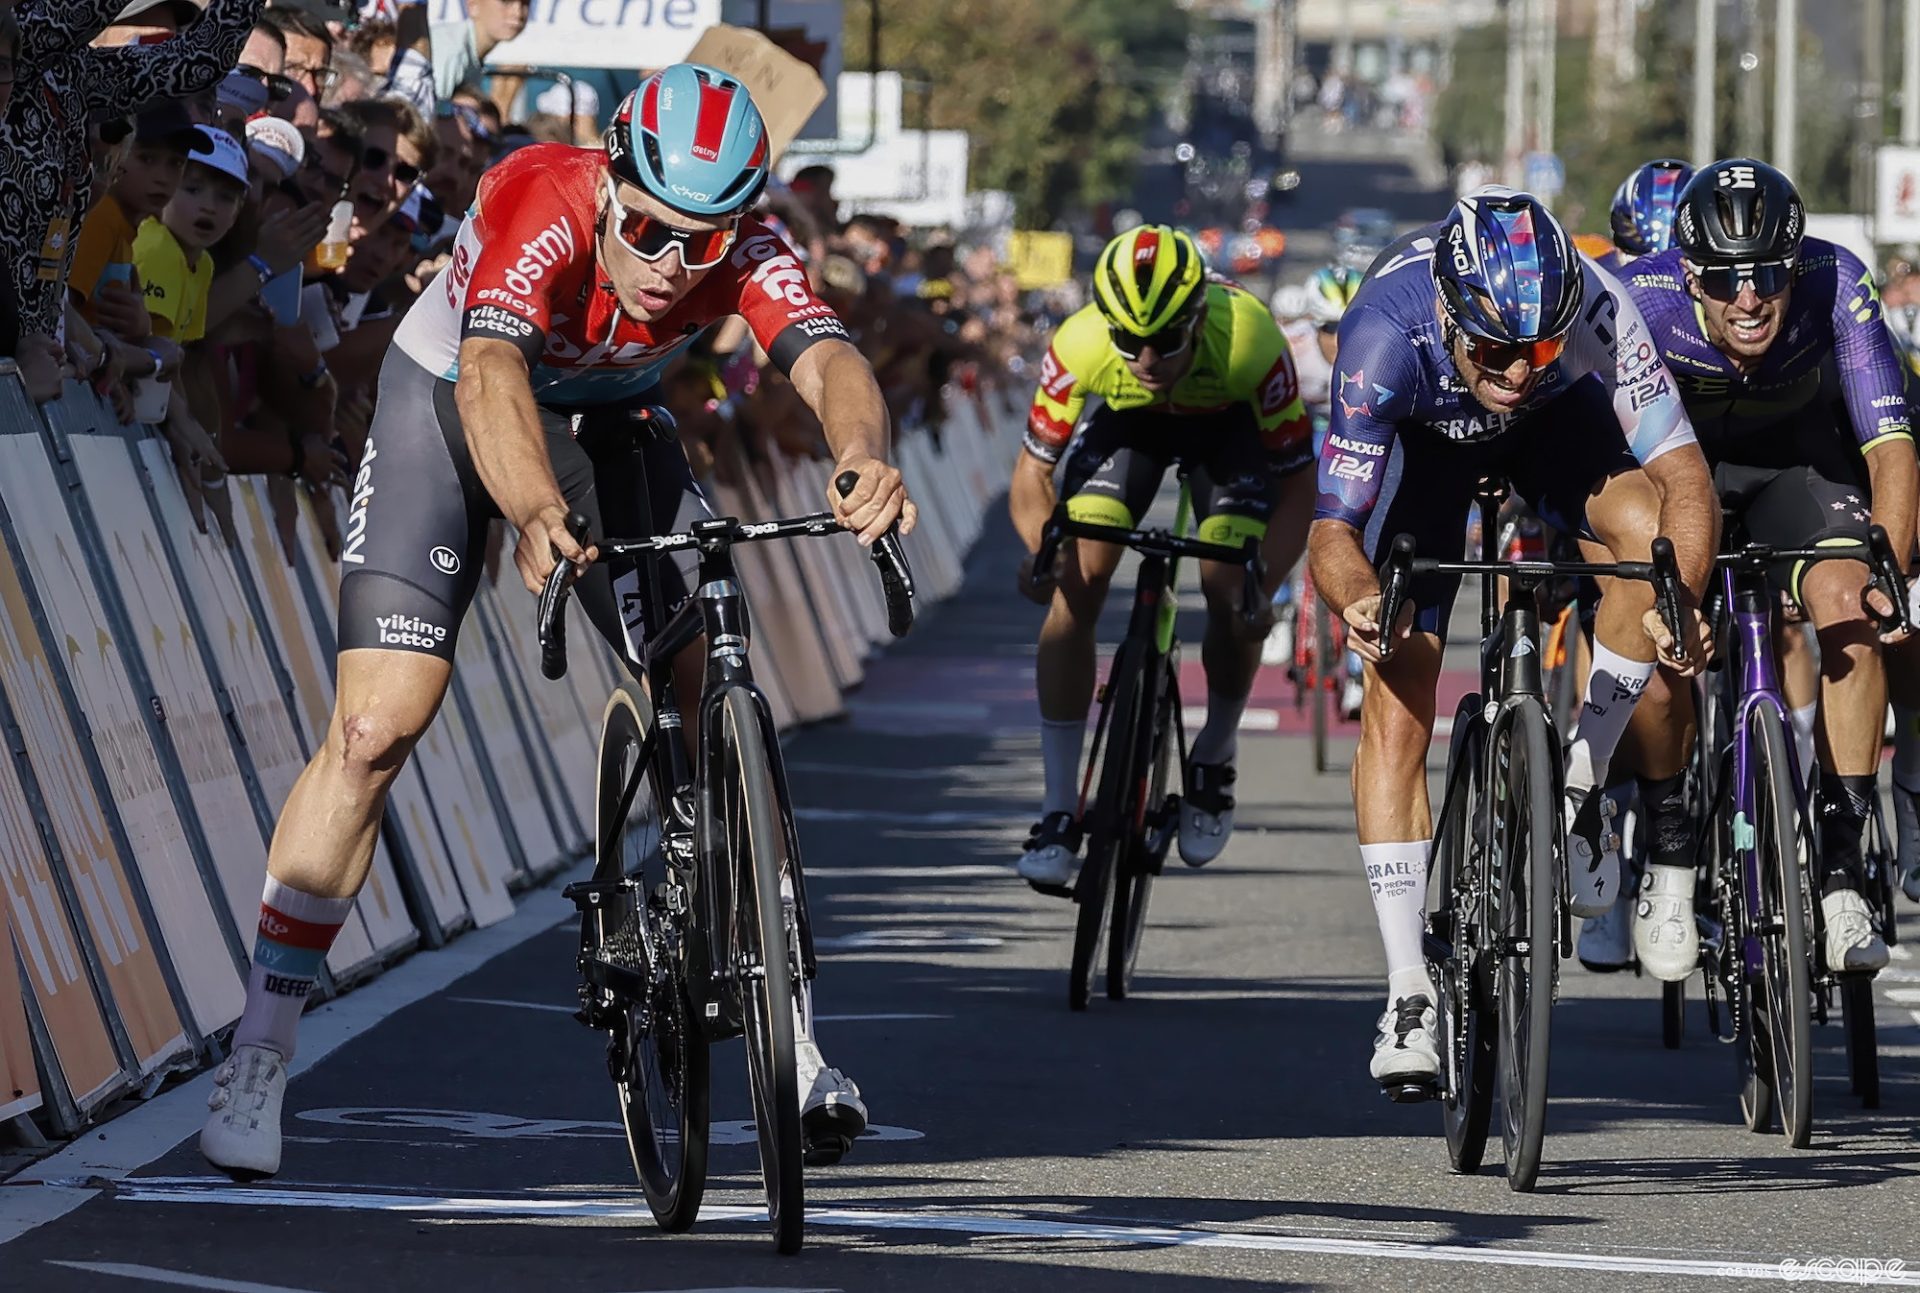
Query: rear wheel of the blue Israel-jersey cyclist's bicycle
[1468,1033]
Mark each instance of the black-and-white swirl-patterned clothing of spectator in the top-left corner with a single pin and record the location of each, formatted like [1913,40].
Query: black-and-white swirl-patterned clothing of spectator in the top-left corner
[45,151]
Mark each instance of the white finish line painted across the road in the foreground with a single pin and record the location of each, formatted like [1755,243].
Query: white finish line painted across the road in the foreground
[208,1190]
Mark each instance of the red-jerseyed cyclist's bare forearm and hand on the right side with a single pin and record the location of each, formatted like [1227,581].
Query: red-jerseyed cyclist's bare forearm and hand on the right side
[838,385]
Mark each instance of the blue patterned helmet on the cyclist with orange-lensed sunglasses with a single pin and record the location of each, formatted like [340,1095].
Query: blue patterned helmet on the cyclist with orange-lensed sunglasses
[1506,270]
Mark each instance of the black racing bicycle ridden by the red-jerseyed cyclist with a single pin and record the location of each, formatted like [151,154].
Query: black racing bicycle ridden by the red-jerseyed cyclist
[694,925]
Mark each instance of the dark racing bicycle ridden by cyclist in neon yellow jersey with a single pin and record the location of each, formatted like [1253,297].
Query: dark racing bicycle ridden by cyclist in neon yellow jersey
[1134,814]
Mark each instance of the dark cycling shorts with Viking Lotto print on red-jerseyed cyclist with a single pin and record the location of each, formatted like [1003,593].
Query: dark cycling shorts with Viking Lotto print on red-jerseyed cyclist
[418,522]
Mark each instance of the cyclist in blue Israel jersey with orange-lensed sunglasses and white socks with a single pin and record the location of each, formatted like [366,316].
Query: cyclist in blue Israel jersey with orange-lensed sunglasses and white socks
[1487,345]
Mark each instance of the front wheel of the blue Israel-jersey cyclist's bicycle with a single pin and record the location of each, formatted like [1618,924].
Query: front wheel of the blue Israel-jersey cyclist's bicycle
[1527,864]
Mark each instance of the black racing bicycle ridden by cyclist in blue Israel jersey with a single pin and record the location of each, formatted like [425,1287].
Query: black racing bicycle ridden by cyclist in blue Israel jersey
[1497,915]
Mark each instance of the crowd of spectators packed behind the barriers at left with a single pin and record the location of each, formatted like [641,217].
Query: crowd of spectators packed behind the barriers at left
[220,210]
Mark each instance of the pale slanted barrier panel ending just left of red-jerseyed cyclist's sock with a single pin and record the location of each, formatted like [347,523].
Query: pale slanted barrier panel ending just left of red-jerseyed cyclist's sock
[197,944]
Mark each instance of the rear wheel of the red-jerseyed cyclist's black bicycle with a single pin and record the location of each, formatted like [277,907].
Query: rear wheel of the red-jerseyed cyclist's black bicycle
[665,1113]
